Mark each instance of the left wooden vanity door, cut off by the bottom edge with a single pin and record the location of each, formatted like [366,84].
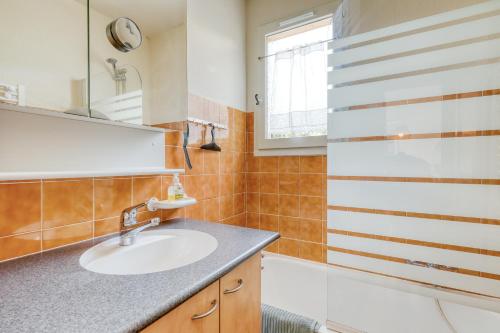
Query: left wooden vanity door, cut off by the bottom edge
[199,314]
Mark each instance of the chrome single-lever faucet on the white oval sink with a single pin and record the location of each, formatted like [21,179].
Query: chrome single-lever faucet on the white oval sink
[129,219]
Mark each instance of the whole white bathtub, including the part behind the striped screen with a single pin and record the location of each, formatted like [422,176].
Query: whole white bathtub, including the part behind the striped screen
[361,302]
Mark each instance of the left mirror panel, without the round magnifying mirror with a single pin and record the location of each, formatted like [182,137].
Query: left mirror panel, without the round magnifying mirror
[43,58]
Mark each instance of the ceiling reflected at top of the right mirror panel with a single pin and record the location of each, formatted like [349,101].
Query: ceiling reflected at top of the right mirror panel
[152,16]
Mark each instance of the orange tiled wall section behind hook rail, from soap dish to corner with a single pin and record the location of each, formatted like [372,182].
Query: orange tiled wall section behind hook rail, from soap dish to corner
[217,179]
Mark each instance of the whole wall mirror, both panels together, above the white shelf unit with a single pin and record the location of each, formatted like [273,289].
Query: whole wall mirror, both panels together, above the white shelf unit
[130,66]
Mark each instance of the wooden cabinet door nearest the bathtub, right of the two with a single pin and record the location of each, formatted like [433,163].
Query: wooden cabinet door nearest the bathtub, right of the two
[240,298]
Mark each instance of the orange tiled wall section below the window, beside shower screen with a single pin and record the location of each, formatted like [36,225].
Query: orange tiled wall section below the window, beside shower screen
[288,194]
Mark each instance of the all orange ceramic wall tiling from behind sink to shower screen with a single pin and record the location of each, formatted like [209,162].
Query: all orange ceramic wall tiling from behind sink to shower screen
[285,194]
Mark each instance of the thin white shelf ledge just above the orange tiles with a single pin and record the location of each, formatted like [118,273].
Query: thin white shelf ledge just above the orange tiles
[84,174]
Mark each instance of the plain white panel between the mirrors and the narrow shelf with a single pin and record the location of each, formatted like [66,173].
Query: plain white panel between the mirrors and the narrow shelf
[38,143]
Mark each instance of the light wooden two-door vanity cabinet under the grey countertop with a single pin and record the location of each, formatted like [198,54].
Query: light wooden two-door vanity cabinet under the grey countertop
[229,305]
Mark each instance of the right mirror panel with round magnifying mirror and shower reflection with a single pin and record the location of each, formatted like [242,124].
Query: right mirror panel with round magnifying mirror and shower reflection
[134,45]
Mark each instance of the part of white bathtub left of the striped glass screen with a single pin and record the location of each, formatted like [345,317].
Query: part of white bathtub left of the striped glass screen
[295,285]
